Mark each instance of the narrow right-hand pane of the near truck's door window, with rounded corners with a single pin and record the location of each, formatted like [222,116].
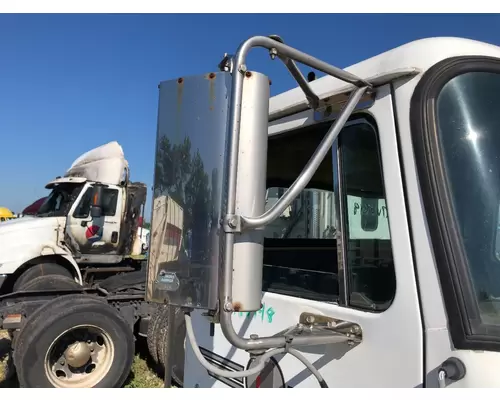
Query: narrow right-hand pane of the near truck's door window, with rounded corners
[370,264]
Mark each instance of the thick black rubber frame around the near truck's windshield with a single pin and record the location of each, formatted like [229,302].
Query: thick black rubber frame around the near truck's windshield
[466,327]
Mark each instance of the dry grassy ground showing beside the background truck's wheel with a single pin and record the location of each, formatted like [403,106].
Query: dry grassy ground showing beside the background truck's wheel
[143,373]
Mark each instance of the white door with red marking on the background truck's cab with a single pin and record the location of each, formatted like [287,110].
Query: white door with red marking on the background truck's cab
[97,235]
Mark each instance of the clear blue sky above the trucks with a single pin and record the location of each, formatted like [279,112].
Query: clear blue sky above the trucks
[69,83]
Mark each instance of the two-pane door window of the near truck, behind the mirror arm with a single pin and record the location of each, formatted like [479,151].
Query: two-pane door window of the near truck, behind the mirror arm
[300,247]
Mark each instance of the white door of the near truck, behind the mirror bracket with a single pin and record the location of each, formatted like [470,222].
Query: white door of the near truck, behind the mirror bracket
[356,266]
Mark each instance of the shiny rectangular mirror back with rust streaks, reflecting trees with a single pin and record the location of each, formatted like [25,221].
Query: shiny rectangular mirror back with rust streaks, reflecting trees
[189,163]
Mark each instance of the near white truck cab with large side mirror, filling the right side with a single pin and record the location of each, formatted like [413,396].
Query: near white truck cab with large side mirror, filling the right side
[343,233]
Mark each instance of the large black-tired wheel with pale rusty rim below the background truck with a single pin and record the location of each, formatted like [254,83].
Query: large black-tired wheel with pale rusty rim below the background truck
[74,341]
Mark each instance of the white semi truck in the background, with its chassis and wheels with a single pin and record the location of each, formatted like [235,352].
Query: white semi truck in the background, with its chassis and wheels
[73,279]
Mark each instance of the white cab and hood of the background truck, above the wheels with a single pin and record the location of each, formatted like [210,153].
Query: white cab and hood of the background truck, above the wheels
[88,223]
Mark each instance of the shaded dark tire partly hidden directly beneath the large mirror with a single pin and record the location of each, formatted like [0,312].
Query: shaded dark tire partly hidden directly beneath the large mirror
[178,344]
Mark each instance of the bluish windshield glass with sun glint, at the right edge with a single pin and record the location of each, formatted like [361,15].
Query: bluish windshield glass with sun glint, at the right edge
[468,123]
